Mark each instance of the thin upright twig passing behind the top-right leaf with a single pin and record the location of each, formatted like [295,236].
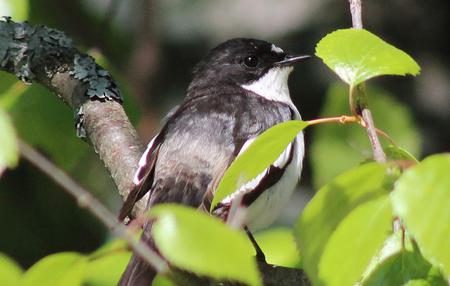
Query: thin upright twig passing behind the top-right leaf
[358,100]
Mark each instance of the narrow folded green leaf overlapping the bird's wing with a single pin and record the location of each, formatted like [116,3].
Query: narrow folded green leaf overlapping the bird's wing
[262,152]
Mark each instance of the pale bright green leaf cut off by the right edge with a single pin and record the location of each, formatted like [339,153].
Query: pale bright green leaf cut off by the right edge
[422,200]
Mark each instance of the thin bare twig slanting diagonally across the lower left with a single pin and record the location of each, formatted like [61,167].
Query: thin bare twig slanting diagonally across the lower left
[86,200]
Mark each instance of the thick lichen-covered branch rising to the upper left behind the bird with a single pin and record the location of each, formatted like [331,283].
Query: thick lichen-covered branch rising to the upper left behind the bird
[44,55]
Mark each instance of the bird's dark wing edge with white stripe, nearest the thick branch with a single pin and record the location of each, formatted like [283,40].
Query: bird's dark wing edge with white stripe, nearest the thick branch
[143,178]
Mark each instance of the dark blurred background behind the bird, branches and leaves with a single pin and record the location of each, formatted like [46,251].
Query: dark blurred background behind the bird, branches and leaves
[151,46]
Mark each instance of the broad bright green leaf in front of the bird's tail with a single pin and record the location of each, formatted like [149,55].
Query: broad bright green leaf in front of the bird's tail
[202,244]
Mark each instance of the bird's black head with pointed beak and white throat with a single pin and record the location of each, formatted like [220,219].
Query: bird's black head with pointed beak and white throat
[255,65]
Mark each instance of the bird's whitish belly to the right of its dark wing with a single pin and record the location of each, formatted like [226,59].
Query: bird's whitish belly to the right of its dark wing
[267,207]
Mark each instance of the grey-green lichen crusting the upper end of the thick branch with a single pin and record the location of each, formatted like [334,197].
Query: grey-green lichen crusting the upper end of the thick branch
[38,47]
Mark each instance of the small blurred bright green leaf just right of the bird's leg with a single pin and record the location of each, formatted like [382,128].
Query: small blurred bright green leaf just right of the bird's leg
[278,245]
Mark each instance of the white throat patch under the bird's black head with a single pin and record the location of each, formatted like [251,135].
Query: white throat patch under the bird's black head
[273,85]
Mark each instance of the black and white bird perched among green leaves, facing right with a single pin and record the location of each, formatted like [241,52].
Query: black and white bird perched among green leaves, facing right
[239,90]
